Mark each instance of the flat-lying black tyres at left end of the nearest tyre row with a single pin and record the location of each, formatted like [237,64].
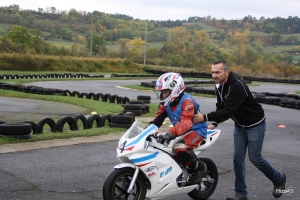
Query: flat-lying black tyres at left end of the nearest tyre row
[16,130]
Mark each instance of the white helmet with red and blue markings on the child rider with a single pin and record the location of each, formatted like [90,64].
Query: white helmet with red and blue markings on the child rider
[169,81]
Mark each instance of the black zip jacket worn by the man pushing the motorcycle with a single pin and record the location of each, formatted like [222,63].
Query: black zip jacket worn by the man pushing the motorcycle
[236,101]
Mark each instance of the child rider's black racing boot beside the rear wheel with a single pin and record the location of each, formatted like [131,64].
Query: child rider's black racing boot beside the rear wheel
[198,169]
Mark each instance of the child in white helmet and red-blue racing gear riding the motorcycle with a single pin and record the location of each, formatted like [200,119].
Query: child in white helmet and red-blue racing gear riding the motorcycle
[180,108]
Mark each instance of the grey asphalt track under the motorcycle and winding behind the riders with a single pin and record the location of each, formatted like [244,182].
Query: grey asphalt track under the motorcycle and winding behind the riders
[78,171]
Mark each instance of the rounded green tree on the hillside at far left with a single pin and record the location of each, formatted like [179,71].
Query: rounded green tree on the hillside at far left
[20,35]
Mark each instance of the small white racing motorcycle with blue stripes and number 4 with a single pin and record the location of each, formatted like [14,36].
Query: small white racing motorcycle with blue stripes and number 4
[149,170]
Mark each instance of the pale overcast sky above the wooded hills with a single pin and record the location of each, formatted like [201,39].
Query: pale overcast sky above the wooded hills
[172,9]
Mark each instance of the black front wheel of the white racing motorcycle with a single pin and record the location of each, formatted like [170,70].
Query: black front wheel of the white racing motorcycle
[117,183]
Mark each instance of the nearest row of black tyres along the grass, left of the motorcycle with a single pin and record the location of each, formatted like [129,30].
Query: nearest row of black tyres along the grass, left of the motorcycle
[26,129]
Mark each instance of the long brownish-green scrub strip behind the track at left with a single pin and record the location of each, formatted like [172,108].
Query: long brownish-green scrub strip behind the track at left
[25,62]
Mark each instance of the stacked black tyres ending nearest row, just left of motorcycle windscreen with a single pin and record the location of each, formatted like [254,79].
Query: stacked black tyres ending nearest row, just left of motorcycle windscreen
[122,120]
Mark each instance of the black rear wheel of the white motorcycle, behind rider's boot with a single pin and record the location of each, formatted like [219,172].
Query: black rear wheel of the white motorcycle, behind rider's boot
[208,183]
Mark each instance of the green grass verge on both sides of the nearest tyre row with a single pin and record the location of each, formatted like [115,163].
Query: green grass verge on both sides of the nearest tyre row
[98,106]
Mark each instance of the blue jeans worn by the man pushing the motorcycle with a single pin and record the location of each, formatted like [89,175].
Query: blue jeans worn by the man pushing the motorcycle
[253,138]
